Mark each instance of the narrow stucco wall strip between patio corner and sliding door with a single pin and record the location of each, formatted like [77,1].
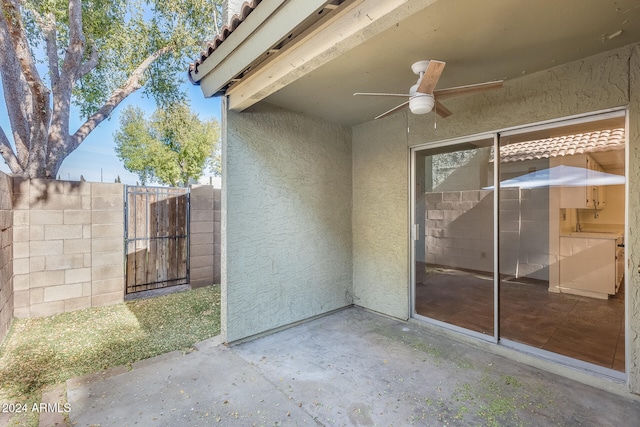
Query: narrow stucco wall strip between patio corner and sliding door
[380,217]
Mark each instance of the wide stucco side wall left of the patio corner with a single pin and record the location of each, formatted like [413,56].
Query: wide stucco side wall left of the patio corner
[286,219]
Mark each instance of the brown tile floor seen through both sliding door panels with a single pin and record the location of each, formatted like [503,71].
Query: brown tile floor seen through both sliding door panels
[583,328]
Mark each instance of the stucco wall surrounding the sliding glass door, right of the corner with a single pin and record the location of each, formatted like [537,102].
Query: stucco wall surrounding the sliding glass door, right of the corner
[596,83]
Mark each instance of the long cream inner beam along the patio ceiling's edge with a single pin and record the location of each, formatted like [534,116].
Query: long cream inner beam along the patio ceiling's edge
[351,25]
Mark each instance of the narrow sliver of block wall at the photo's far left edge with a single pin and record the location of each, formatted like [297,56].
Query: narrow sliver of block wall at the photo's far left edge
[6,255]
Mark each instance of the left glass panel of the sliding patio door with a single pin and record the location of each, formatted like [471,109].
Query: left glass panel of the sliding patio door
[453,235]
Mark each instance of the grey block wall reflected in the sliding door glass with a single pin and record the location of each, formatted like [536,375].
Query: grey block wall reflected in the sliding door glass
[459,231]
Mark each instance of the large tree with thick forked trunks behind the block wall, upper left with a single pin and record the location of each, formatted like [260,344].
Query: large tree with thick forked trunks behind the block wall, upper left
[96,53]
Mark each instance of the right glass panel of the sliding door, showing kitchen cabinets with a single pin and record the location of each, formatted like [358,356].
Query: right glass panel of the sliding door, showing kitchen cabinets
[562,222]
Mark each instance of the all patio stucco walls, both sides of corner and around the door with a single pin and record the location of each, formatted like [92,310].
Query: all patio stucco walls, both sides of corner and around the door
[313,220]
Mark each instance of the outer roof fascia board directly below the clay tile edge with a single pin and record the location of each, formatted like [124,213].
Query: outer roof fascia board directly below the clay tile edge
[265,26]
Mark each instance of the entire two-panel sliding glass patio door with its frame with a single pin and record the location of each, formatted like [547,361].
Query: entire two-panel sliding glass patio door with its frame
[518,239]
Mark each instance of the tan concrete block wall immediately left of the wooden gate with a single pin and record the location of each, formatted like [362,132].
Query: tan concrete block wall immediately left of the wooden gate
[67,252]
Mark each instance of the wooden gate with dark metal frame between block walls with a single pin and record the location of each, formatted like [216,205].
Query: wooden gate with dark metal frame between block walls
[156,237]
